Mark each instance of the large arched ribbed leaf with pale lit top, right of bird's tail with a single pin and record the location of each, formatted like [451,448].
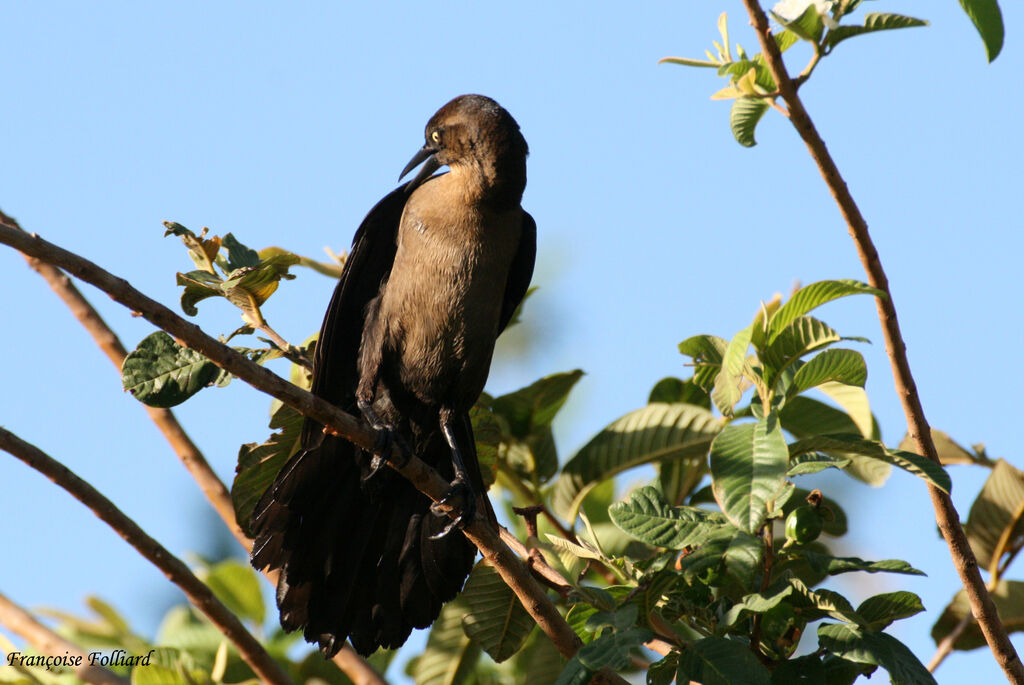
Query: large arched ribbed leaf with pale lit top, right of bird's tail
[654,434]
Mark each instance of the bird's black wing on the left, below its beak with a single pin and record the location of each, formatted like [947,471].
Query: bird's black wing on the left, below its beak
[368,266]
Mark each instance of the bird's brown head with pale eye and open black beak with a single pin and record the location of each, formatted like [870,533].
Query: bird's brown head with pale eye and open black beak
[473,133]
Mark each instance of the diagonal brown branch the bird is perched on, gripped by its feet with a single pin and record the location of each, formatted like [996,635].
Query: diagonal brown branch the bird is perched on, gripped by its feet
[429,482]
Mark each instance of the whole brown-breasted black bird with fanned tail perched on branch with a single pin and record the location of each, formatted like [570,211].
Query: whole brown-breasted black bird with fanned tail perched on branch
[435,275]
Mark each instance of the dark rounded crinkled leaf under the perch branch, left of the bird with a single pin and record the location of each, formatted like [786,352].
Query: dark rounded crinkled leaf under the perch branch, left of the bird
[162,373]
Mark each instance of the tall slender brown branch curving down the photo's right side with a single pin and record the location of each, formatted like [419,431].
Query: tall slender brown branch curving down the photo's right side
[946,513]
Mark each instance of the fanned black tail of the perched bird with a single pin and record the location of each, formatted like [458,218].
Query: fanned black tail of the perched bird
[357,558]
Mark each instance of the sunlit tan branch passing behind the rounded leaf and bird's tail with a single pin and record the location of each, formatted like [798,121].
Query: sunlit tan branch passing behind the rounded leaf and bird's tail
[217,493]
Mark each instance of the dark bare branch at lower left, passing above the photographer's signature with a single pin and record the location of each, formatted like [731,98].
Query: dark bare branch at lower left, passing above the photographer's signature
[200,595]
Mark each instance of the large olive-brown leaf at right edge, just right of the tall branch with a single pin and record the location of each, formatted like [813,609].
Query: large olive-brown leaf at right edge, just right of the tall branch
[998,515]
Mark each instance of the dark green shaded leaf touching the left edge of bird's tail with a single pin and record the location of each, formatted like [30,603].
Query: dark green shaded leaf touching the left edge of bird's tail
[259,464]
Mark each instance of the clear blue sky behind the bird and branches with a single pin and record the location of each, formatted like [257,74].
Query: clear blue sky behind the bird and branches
[285,126]
